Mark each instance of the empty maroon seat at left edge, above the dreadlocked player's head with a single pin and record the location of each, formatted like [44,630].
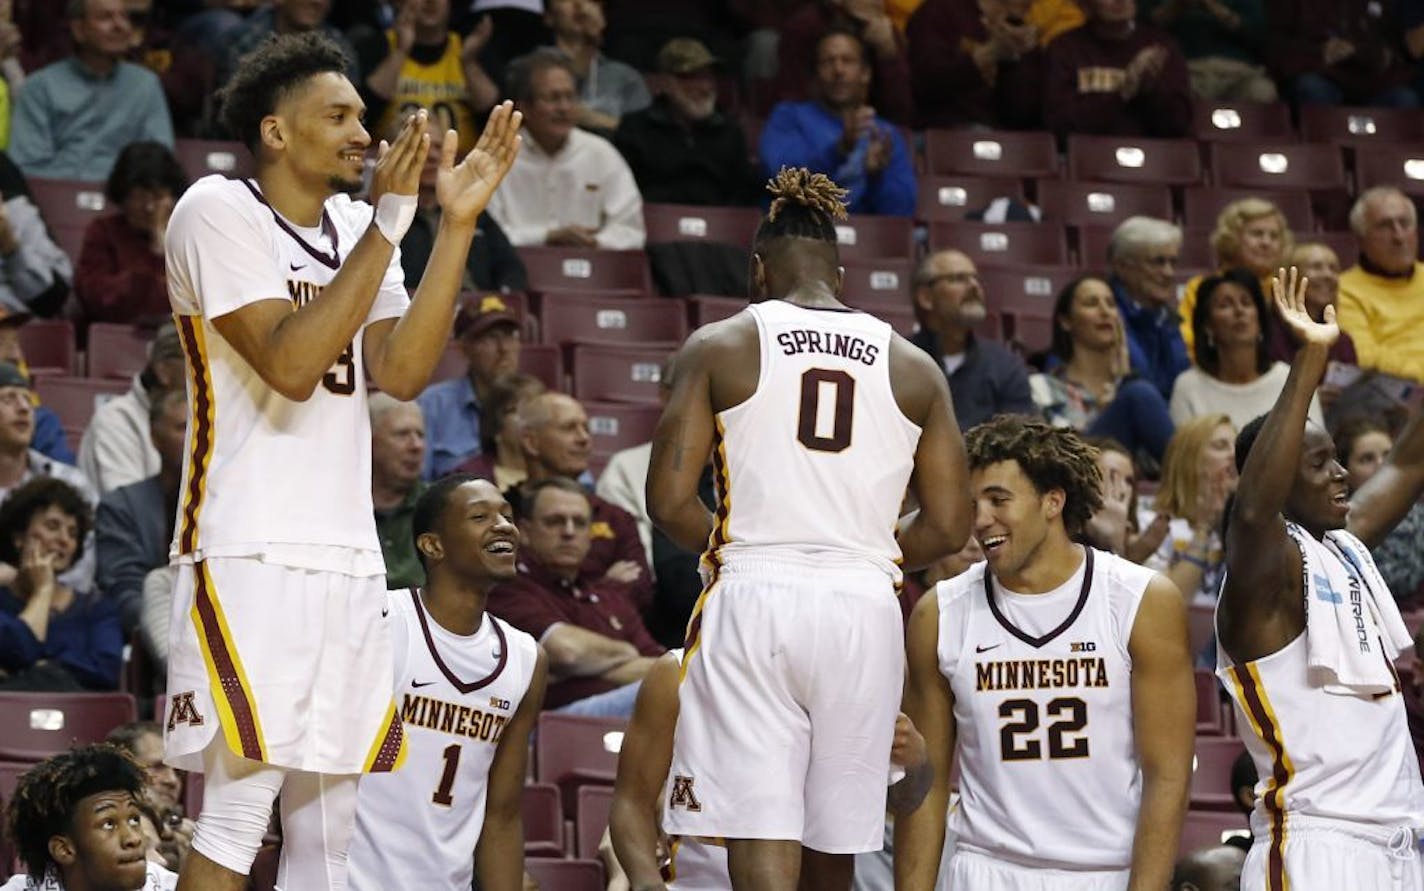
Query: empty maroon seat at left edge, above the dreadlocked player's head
[33,727]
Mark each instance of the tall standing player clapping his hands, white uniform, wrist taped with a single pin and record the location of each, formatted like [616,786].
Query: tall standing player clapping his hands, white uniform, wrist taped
[288,295]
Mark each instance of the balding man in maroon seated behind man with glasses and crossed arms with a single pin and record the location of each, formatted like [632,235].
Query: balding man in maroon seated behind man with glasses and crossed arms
[556,443]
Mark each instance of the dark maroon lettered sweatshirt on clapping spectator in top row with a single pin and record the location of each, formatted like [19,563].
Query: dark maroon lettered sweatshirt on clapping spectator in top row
[1084,78]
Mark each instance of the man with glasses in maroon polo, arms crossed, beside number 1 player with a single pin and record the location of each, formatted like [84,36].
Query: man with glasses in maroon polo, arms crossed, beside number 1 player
[599,648]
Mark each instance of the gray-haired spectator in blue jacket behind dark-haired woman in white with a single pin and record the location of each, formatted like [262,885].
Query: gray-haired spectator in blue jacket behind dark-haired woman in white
[1143,257]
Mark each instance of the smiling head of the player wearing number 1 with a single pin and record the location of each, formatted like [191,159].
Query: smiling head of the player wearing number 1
[478,537]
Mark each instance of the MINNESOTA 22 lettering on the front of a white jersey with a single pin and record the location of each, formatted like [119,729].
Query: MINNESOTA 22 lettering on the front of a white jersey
[1039,727]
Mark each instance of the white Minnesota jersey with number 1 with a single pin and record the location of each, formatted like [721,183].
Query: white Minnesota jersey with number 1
[419,826]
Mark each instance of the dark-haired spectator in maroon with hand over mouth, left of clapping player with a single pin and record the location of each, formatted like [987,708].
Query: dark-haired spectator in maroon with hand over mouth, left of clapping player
[120,275]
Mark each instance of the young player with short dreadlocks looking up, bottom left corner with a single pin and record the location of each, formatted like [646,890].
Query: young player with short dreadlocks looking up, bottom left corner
[76,823]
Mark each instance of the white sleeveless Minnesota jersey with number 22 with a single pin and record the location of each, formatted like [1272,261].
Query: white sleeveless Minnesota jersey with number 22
[1043,702]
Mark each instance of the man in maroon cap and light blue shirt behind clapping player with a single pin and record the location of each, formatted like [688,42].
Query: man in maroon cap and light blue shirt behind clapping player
[489,337]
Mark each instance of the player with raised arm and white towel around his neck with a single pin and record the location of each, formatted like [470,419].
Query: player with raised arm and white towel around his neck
[1339,803]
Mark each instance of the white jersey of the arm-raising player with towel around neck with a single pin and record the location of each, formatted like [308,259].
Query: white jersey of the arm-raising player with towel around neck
[1322,755]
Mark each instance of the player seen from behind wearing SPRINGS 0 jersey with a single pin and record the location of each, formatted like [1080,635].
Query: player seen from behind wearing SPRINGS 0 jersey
[817,419]
